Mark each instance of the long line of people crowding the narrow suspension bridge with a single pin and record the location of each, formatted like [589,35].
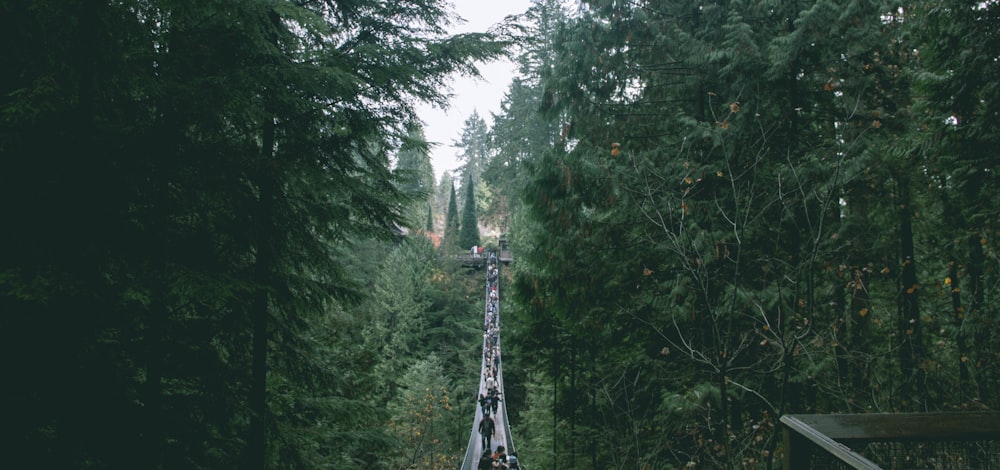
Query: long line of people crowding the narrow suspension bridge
[490,400]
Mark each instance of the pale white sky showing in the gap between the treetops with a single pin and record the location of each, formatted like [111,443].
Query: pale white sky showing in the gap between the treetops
[444,127]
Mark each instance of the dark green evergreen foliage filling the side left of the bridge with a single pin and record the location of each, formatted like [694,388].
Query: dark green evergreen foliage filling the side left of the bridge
[183,184]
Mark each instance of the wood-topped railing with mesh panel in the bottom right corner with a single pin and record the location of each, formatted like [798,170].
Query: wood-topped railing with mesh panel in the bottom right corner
[962,440]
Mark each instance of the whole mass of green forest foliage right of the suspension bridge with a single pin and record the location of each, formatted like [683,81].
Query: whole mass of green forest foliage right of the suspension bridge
[738,208]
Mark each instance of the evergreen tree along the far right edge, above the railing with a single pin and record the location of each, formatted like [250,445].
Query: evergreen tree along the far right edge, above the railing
[956,143]
